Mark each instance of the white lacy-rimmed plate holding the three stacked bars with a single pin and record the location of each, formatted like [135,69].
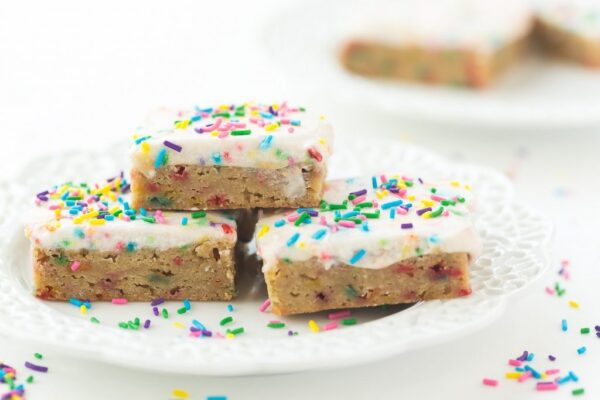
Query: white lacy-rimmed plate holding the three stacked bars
[515,253]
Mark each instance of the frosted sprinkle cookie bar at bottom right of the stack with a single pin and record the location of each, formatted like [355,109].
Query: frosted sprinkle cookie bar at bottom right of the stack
[373,241]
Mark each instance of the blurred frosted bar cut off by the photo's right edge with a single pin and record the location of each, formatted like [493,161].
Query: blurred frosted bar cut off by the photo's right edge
[570,29]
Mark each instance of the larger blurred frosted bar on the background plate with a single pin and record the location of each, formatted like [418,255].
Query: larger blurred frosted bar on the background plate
[450,42]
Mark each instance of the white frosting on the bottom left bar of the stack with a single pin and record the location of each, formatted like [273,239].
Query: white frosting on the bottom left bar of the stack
[48,228]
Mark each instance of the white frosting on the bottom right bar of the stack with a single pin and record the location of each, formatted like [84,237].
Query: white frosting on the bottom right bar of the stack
[385,242]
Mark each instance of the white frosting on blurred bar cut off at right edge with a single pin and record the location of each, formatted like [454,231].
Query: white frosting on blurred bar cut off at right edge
[581,17]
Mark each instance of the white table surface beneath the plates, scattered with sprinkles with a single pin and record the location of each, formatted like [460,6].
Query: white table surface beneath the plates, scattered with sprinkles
[75,75]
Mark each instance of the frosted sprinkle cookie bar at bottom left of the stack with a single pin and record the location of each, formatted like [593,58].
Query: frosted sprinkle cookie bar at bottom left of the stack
[89,244]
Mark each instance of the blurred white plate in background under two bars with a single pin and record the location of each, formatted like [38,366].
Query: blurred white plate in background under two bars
[539,92]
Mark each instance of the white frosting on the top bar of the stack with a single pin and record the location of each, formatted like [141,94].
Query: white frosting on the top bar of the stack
[293,133]
